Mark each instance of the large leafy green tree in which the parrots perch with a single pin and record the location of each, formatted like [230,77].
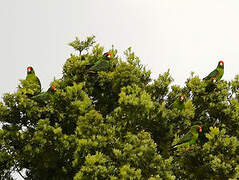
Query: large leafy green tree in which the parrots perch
[120,124]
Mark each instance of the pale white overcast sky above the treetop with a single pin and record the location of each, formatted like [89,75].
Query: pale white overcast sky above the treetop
[180,35]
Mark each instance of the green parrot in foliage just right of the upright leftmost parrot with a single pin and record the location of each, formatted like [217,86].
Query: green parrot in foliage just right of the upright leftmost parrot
[45,97]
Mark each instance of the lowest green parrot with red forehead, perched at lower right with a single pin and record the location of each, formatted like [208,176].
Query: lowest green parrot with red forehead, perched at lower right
[190,138]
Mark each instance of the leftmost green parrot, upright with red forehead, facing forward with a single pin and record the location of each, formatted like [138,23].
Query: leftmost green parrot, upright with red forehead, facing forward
[33,82]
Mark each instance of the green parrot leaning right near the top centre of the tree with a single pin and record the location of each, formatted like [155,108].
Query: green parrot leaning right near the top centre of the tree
[101,65]
